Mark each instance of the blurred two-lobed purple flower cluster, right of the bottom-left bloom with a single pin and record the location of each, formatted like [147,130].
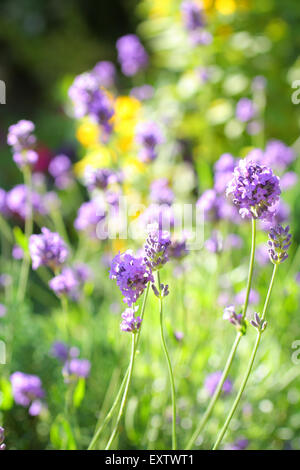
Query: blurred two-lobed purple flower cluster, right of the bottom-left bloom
[74,368]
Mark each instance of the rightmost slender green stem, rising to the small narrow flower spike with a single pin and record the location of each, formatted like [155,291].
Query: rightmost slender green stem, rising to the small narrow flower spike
[249,368]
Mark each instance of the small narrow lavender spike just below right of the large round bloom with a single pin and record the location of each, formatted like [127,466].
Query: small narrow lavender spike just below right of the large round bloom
[279,243]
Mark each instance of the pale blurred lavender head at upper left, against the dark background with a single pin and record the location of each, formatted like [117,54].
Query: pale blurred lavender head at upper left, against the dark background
[21,139]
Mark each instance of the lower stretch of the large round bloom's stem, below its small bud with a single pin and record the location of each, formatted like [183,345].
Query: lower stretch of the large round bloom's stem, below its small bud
[216,394]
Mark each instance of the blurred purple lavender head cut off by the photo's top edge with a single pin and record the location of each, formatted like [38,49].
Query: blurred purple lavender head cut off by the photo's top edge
[194,22]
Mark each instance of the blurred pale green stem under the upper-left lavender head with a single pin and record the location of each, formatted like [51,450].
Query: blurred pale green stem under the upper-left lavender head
[28,231]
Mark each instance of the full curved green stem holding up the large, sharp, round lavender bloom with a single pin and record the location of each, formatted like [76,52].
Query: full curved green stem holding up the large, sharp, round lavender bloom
[233,350]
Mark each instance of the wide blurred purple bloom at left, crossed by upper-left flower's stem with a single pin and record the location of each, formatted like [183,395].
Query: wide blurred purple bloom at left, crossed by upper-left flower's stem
[16,201]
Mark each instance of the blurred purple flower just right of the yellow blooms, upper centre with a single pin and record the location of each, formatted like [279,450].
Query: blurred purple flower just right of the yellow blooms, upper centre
[148,136]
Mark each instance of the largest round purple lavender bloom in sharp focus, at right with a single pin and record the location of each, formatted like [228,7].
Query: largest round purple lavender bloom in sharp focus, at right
[254,189]
